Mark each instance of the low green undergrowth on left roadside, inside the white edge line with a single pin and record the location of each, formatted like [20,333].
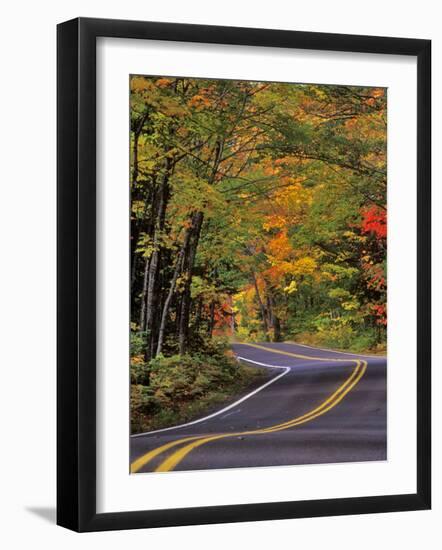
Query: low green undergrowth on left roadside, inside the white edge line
[176,389]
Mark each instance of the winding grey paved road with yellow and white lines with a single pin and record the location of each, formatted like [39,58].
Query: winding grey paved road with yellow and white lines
[317,406]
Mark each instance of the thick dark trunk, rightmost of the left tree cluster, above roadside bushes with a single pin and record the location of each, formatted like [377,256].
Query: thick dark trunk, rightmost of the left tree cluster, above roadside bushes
[197,221]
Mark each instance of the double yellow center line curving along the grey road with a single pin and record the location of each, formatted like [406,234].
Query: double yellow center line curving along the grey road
[188,444]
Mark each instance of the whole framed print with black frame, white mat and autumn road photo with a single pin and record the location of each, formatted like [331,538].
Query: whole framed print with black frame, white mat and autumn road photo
[225,273]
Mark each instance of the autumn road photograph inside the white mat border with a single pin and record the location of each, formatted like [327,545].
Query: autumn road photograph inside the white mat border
[258,269]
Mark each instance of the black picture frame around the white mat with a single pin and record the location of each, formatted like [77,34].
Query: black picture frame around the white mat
[76,356]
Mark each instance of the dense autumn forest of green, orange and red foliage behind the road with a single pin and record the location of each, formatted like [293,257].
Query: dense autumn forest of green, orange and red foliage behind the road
[258,213]
